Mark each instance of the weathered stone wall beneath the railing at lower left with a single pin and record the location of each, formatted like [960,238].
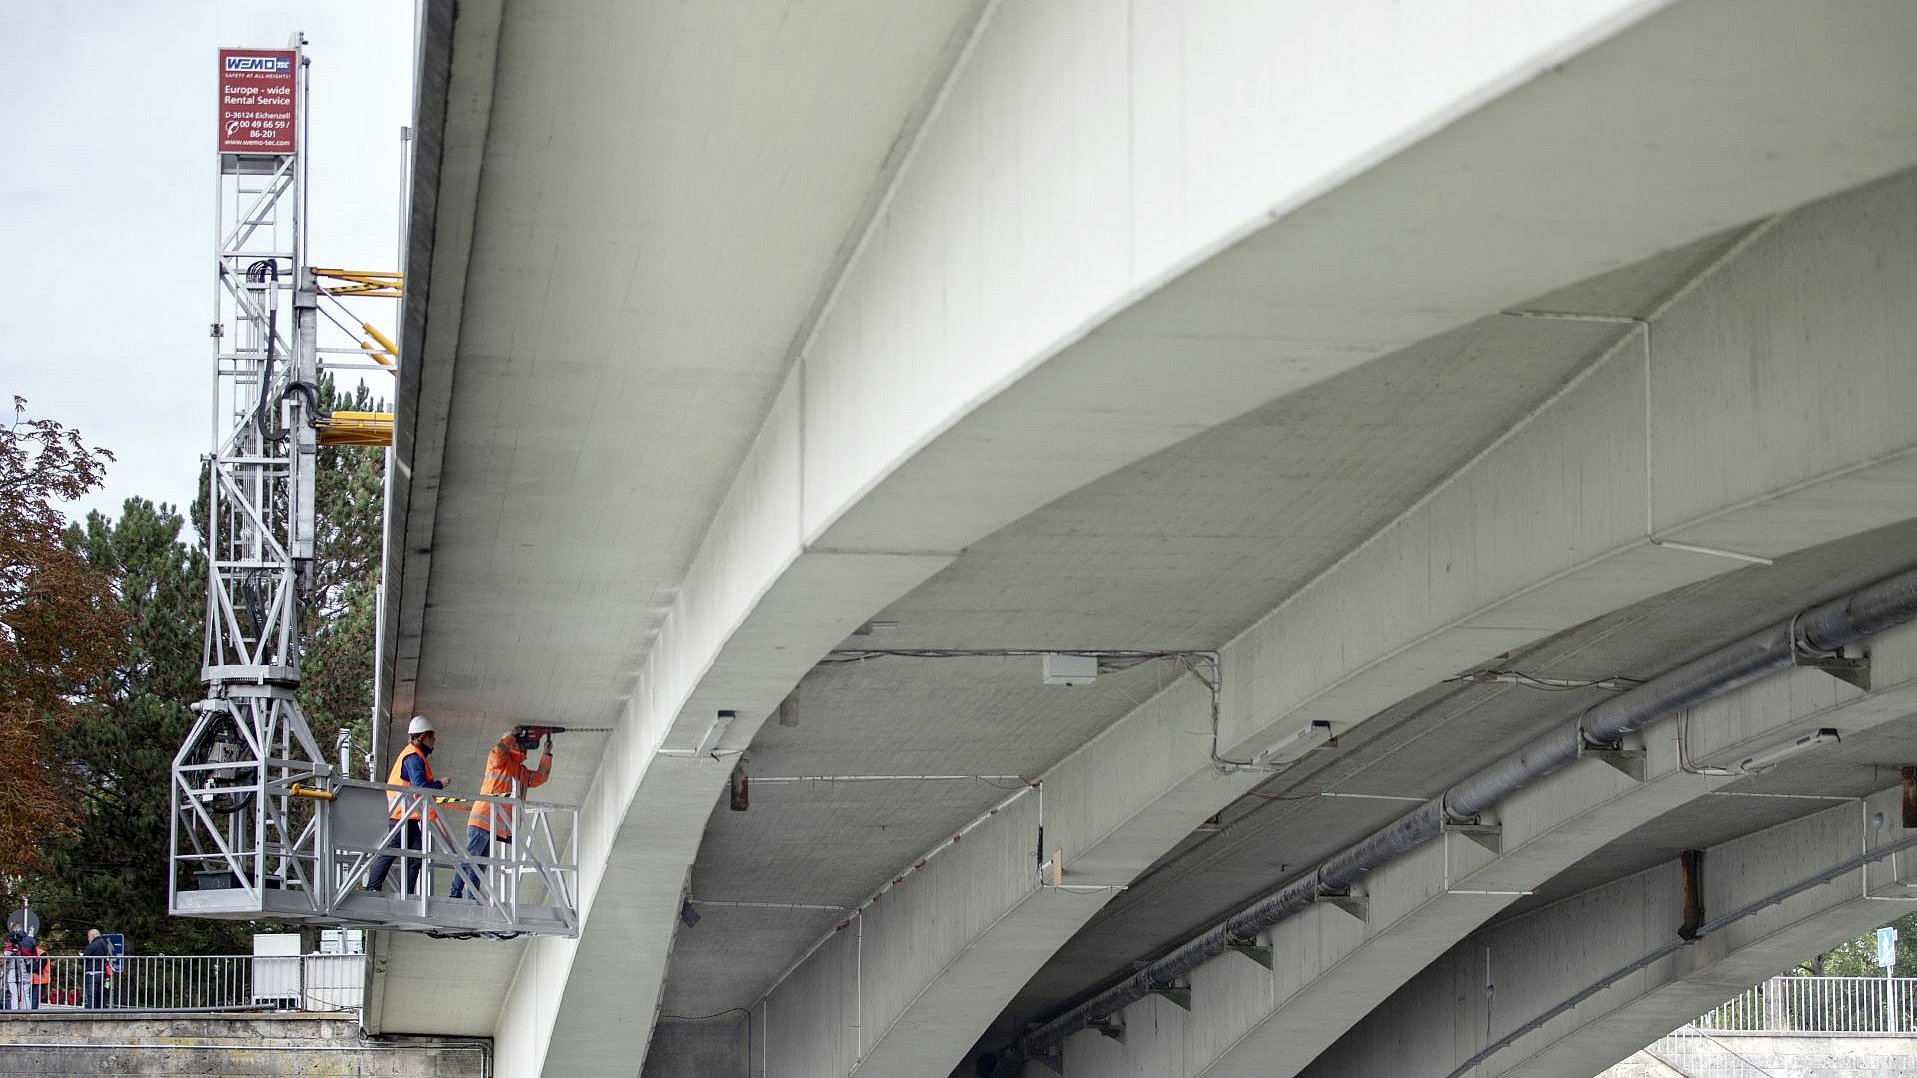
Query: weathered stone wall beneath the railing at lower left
[225,1046]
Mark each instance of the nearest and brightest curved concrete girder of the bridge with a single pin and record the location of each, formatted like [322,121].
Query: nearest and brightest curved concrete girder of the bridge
[936,379]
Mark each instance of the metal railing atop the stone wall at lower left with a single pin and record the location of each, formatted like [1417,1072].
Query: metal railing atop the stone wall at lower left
[183,983]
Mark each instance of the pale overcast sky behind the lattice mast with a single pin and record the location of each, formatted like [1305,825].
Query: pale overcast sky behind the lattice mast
[106,204]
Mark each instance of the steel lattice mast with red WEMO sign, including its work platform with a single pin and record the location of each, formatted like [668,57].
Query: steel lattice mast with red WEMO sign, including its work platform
[262,824]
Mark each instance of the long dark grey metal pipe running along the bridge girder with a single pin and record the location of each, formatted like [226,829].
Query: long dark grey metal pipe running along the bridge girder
[1822,630]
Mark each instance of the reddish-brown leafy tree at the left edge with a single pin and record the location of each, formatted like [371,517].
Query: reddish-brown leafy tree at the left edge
[60,630]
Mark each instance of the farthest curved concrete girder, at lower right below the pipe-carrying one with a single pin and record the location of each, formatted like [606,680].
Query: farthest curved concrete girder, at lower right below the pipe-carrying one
[1544,960]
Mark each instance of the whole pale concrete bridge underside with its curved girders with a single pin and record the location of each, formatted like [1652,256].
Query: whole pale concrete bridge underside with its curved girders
[804,363]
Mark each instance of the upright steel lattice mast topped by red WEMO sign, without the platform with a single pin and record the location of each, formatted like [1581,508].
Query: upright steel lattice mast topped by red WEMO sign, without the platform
[233,793]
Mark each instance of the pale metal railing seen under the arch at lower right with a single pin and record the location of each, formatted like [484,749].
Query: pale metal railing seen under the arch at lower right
[1847,1006]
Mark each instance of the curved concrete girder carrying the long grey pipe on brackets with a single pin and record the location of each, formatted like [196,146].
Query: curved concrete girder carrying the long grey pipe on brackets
[1335,968]
